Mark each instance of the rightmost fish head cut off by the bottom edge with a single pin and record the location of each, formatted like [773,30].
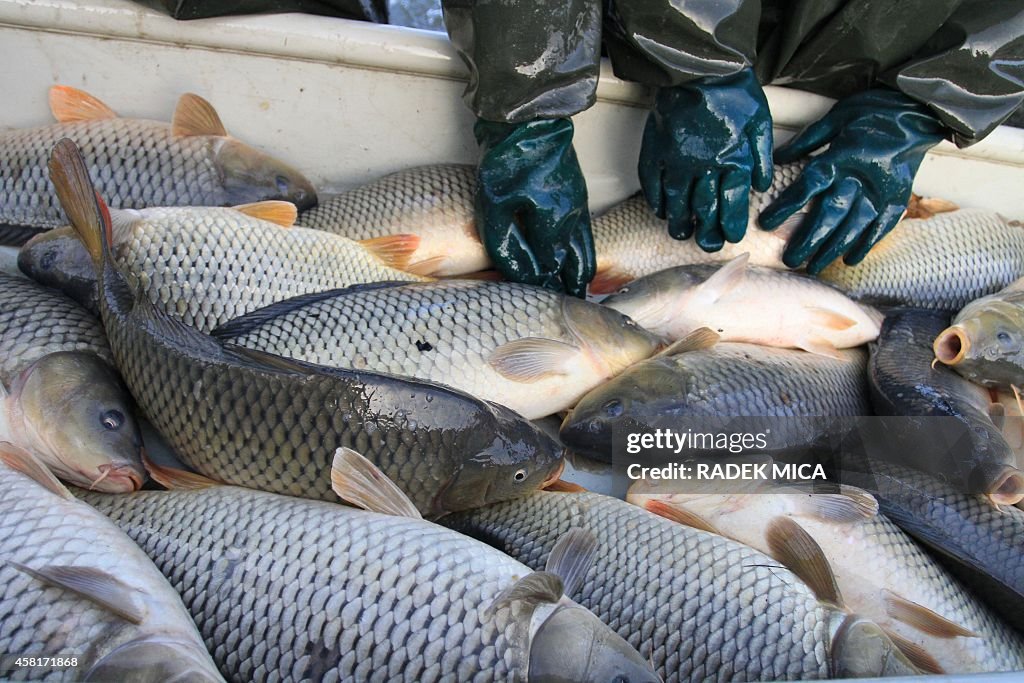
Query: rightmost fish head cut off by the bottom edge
[861,649]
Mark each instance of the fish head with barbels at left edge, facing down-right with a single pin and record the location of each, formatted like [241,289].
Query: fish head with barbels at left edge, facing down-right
[78,417]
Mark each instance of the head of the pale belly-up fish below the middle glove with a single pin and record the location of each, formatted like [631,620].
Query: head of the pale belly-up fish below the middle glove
[658,302]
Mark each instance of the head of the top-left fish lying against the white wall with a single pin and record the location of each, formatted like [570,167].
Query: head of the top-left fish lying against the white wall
[249,176]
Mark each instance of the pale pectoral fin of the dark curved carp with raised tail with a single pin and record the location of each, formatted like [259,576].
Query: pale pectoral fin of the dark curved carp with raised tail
[359,482]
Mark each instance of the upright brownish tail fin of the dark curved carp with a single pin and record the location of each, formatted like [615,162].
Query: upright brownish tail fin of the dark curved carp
[86,209]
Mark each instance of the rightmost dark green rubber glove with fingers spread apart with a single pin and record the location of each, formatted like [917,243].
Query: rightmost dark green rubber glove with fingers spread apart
[877,141]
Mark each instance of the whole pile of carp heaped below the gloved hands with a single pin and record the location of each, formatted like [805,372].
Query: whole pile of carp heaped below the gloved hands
[365,488]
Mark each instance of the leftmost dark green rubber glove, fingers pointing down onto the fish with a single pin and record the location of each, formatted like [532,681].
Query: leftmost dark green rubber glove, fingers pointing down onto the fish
[532,204]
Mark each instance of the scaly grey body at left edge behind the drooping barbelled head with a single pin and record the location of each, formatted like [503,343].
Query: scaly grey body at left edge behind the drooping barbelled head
[36,322]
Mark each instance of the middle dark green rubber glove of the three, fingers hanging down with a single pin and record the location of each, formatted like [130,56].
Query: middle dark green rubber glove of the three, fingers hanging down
[706,144]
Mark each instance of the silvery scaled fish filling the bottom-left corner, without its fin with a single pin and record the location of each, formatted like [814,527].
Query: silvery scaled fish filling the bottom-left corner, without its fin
[42,530]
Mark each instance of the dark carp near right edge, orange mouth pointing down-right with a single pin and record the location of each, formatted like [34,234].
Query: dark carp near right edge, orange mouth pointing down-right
[941,409]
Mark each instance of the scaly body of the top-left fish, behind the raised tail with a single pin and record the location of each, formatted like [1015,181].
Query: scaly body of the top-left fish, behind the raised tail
[135,163]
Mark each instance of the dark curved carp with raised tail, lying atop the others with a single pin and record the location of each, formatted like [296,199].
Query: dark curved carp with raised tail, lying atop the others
[273,424]
